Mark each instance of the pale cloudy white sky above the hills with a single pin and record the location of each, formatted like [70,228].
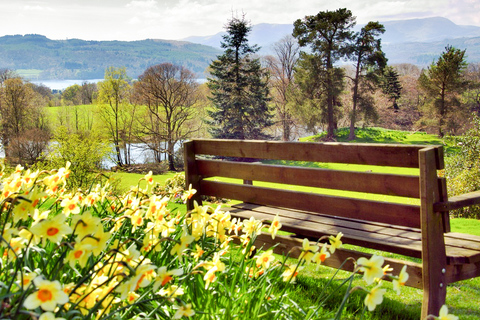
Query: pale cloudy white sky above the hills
[177,19]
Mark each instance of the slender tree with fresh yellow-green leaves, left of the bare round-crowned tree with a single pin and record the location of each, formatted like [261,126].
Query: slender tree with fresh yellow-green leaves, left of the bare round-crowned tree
[113,96]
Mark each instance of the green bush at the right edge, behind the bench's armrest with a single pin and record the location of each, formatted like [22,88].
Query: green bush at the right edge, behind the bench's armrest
[463,168]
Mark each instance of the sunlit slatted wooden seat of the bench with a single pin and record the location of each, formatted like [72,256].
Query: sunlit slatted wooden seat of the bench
[390,238]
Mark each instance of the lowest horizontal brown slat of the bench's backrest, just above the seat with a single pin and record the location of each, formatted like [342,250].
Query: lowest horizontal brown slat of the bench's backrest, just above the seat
[399,214]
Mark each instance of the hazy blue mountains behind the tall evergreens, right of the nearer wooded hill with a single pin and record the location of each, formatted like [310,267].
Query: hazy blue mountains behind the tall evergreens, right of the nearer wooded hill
[416,41]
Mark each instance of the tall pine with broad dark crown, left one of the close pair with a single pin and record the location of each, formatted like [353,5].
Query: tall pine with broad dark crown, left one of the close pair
[328,34]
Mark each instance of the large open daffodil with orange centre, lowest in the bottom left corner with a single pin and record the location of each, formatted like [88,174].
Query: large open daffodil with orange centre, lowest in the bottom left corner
[48,295]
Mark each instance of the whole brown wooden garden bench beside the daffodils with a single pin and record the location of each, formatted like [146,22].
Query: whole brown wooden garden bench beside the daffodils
[420,229]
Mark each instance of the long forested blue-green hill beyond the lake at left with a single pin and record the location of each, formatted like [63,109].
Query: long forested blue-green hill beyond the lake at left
[80,59]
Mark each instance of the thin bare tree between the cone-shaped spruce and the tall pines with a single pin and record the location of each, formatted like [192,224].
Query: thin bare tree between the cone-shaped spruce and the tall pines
[282,67]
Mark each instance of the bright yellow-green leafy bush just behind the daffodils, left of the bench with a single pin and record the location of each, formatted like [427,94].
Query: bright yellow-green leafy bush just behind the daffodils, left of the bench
[85,152]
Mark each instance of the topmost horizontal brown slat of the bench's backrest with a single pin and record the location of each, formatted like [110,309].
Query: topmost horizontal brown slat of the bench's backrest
[353,153]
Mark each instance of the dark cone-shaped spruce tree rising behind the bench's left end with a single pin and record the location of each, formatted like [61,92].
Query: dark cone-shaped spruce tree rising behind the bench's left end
[239,88]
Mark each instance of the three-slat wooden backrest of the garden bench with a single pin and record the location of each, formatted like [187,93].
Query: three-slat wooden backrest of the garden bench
[207,158]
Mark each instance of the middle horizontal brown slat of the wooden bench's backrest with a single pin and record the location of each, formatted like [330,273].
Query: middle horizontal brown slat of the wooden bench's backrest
[378,183]
